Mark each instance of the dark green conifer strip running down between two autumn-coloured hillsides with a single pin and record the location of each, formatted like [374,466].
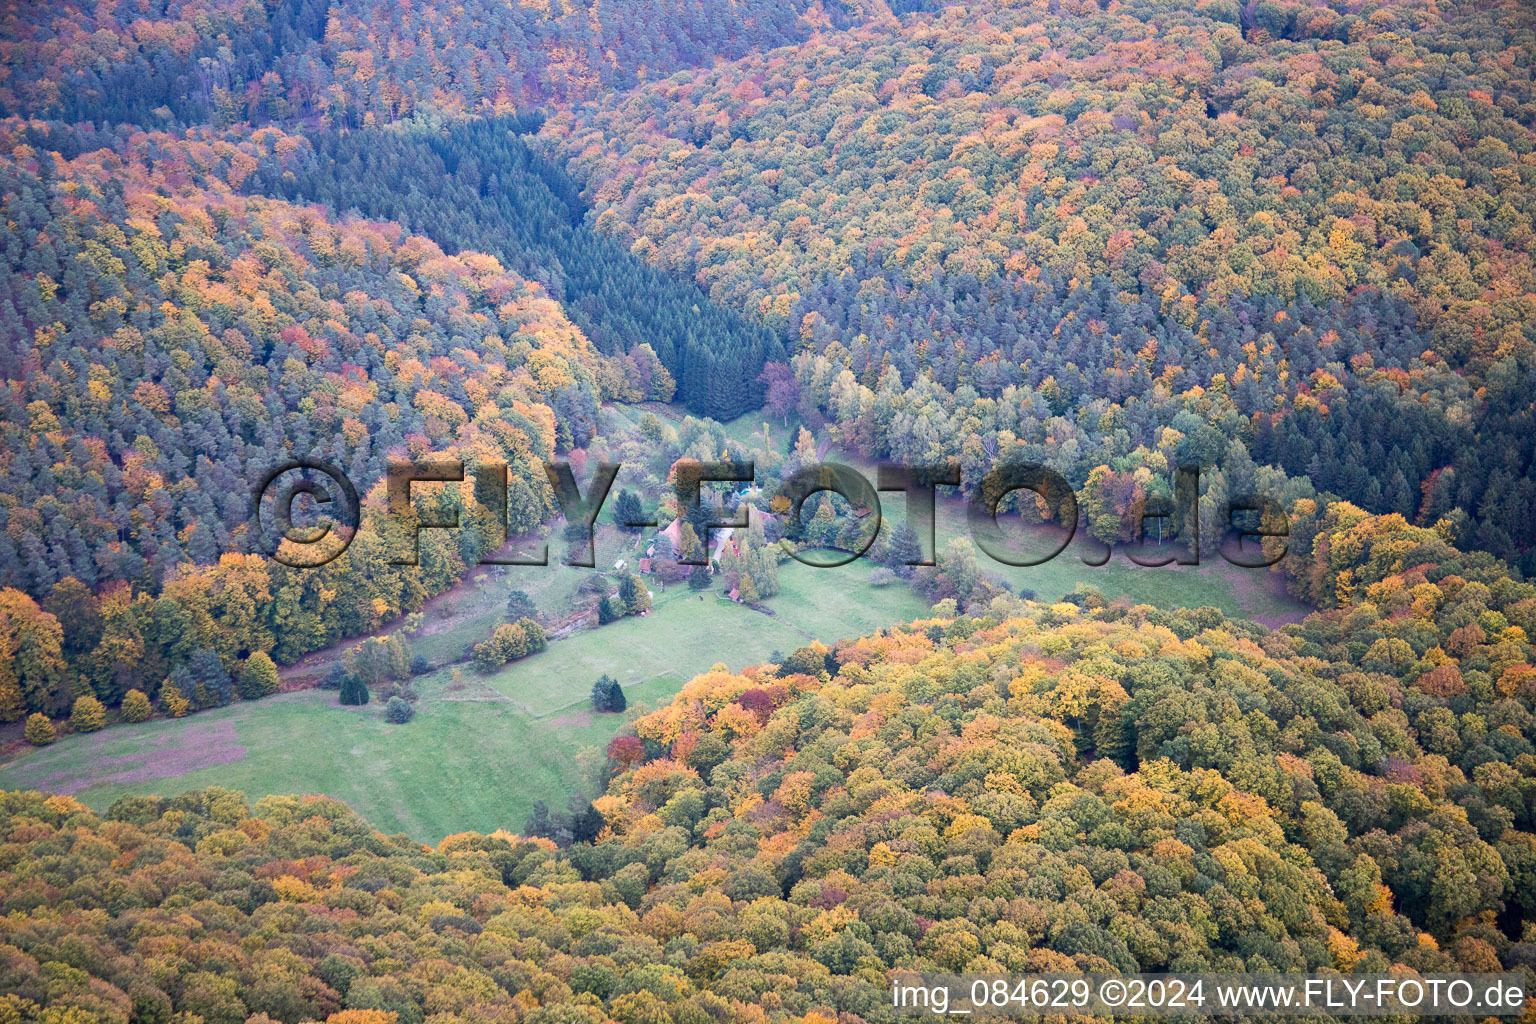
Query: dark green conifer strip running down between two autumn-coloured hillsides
[495,196]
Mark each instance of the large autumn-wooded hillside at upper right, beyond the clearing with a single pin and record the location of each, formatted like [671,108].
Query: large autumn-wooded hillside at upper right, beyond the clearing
[1306,225]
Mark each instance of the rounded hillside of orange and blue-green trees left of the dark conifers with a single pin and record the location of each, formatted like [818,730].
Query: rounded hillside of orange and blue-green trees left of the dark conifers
[167,340]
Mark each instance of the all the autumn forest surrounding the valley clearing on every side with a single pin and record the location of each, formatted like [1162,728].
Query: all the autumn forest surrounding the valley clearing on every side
[1289,242]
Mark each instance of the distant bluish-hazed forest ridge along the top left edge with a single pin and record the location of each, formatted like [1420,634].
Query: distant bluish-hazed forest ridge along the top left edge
[362,64]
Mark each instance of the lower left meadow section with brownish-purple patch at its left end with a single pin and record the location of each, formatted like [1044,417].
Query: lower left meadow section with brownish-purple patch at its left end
[469,761]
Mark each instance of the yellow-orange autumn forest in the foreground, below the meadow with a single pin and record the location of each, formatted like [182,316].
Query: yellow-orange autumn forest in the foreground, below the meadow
[1042,788]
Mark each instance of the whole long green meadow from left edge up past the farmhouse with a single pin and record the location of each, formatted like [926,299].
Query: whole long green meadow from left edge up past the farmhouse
[482,753]
